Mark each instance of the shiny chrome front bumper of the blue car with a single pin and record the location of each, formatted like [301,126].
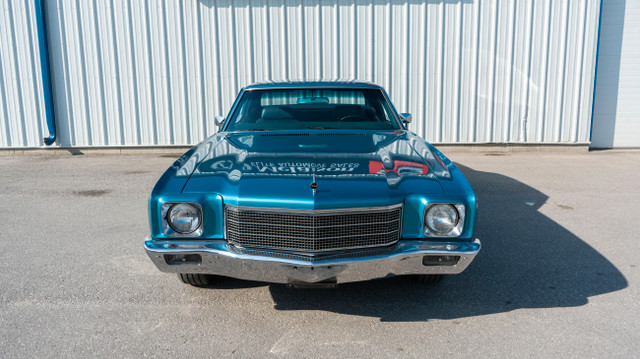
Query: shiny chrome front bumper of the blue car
[215,257]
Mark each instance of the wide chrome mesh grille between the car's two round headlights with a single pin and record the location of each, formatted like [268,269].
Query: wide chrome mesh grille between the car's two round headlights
[313,231]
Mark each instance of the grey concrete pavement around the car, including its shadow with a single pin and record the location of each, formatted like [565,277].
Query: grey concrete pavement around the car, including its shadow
[558,275]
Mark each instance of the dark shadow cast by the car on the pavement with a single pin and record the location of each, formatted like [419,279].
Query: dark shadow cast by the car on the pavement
[527,261]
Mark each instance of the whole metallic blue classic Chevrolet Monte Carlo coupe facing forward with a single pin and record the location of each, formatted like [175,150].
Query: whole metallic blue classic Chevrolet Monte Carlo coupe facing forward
[312,183]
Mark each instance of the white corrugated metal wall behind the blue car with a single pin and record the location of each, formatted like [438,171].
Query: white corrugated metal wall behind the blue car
[157,72]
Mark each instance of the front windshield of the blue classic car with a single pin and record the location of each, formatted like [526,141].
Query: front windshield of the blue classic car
[322,109]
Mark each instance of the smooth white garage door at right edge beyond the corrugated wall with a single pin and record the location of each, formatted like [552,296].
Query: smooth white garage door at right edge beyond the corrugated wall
[616,120]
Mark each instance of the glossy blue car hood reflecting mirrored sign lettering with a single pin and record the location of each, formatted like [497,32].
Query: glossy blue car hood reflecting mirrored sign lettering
[280,169]
